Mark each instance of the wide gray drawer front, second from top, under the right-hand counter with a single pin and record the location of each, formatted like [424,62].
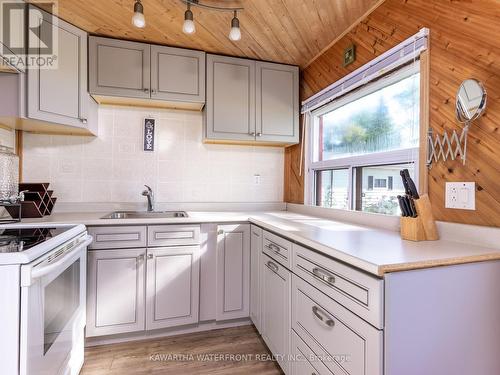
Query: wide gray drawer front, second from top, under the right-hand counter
[351,345]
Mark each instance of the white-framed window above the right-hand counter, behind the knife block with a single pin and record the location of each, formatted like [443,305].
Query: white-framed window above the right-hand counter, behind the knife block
[361,141]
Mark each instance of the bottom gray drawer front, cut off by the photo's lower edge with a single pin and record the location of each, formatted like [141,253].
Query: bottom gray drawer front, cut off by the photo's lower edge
[304,361]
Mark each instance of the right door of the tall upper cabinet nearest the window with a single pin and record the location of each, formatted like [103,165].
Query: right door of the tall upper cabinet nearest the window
[277,103]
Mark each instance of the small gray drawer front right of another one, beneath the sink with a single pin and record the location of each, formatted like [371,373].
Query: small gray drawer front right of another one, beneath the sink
[173,235]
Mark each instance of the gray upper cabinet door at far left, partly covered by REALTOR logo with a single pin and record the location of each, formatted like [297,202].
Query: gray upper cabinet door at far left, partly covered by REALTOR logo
[59,94]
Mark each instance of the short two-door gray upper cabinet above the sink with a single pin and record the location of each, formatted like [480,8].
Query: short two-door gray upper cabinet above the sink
[121,71]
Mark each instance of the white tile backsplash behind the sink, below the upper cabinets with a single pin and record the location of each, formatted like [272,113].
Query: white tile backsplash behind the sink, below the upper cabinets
[113,168]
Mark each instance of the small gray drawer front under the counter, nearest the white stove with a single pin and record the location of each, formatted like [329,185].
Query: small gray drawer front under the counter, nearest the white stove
[118,237]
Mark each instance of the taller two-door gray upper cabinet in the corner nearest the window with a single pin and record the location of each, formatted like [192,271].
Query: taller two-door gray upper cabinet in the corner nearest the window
[251,102]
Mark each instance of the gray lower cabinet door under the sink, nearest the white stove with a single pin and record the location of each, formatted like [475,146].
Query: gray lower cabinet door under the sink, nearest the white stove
[115,293]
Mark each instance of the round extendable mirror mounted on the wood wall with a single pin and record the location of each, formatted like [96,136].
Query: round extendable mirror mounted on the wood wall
[471,100]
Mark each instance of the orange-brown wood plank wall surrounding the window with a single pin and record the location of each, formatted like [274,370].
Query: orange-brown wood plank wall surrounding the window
[464,43]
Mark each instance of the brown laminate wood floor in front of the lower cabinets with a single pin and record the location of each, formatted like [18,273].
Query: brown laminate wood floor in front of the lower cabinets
[234,351]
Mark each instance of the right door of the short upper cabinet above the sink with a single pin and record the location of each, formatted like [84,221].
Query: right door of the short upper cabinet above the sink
[177,74]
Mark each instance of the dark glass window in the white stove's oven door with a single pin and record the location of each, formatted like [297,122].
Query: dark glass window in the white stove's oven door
[62,299]
